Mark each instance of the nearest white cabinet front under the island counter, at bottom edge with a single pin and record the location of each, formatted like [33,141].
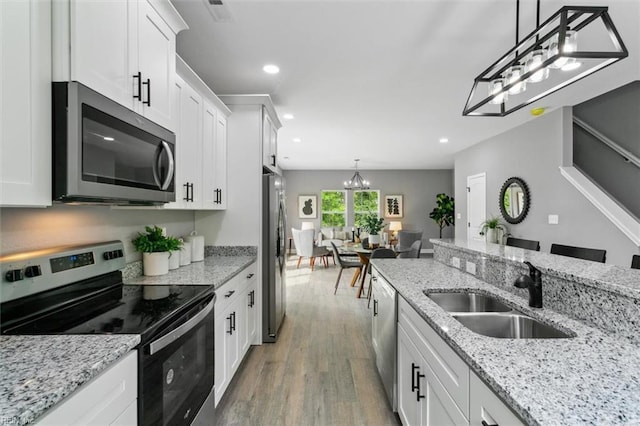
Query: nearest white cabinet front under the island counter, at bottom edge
[486,408]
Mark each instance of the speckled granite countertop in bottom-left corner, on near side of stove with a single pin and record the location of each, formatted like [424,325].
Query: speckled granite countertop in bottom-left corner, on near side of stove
[37,372]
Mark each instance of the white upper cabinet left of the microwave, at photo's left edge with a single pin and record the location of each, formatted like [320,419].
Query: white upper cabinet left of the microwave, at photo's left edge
[25,112]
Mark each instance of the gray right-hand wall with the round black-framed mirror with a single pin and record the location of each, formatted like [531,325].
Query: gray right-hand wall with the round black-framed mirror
[533,152]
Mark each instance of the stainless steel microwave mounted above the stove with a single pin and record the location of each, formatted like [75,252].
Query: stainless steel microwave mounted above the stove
[106,153]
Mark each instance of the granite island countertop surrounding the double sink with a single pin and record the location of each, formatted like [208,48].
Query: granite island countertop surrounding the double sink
[592,378]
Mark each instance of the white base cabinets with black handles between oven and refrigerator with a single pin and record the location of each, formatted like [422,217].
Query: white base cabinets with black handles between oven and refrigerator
[231,327]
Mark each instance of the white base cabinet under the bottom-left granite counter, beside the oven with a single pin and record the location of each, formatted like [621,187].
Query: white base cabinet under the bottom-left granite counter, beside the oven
[109,399]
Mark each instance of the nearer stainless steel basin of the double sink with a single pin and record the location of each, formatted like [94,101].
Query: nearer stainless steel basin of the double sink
[509,326]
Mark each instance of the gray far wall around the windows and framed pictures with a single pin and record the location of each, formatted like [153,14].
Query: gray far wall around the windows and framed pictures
[418,188]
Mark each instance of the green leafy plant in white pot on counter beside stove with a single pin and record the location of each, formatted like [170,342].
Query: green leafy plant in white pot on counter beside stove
[156,249]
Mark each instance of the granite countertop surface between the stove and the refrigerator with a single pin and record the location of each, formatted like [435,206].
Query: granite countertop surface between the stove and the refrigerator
[213,270]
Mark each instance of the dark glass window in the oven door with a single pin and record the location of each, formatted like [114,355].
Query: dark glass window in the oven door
[181,371]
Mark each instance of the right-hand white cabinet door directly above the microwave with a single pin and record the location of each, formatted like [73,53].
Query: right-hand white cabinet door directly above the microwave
[156,46]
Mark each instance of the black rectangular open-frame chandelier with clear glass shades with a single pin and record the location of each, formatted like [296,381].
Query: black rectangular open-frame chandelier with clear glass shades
[573,43]
